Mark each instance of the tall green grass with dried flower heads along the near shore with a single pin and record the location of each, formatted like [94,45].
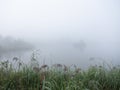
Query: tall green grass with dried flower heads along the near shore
[57,77]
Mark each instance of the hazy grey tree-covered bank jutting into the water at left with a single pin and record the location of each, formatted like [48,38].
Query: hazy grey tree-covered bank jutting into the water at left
[10,47]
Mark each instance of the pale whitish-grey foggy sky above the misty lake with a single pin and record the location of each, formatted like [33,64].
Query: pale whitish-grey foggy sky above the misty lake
[48,19]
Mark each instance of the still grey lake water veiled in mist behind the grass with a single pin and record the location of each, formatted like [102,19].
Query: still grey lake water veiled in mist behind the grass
[69,54]
